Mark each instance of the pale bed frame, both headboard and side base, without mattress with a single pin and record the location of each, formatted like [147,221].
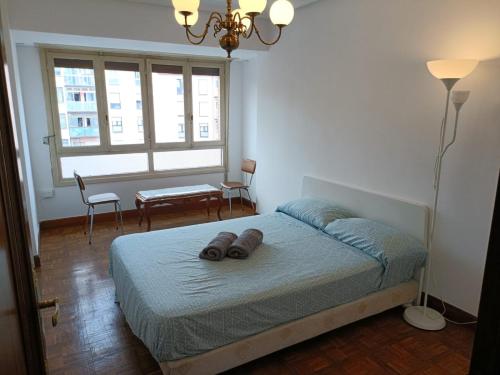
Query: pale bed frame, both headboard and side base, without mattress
[407,216]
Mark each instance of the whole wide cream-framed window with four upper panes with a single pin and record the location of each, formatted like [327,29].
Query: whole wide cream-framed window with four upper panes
[120,115]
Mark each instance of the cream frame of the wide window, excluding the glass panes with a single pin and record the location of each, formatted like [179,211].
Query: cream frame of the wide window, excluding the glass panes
[145,62]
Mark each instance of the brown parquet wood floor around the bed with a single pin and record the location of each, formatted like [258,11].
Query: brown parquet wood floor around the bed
[93,337]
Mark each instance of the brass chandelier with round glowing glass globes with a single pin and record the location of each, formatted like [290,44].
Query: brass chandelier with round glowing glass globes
[236,23]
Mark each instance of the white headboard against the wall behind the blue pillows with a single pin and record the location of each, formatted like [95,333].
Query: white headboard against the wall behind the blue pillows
[411,218]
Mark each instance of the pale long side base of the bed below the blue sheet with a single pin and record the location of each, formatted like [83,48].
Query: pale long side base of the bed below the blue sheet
[285,335]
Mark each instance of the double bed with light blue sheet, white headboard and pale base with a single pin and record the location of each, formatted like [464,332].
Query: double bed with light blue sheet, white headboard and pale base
[200,317]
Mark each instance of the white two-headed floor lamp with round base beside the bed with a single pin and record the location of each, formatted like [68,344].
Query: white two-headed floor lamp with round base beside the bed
[449,72]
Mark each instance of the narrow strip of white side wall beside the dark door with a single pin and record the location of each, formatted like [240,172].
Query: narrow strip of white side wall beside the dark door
[21,131]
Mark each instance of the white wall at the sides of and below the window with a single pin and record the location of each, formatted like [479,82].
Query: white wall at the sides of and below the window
[66,201]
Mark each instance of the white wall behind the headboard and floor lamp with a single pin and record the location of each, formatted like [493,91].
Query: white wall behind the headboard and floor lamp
[346,96]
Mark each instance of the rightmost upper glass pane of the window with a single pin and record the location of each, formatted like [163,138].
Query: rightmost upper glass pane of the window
[206,104]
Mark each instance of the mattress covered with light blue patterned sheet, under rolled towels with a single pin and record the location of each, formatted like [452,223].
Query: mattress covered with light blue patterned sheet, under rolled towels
[181,306]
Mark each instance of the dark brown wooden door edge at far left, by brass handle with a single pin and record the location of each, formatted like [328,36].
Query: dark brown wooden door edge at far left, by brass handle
[18,232]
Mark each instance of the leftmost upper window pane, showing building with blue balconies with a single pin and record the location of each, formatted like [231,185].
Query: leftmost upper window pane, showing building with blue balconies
[76,102]
